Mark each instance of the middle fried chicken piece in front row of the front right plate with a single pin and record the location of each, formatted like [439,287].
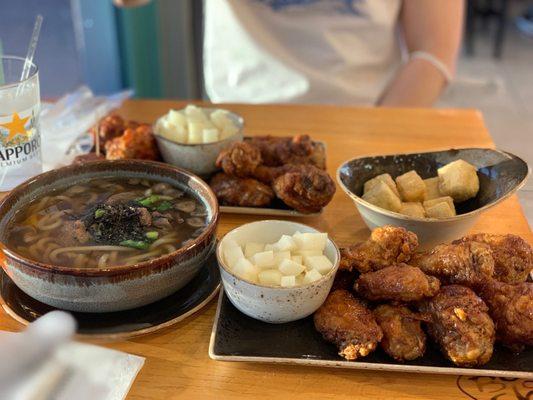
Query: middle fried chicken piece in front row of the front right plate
[403,337]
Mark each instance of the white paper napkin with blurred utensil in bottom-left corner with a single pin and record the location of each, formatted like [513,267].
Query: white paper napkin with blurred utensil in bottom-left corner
[42,363]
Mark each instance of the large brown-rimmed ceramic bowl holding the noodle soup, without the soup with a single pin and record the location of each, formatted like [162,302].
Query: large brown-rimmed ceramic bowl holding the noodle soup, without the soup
[115,288]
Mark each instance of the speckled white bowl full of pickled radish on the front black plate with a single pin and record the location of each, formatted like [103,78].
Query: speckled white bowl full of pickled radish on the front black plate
[277,271]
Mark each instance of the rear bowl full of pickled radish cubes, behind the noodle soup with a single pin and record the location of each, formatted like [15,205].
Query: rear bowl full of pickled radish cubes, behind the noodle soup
[193,137]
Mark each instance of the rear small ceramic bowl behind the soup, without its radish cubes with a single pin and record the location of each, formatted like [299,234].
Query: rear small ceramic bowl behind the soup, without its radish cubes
[197,158]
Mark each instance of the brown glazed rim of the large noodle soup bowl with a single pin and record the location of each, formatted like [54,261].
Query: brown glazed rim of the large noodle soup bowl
[112,166]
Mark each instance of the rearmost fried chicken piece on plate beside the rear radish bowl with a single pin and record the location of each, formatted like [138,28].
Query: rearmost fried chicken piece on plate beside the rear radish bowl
[299,149]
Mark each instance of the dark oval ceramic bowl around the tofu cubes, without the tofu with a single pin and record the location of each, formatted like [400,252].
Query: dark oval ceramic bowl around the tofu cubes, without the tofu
[500,175]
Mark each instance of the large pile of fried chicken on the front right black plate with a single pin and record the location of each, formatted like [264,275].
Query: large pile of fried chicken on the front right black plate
[465,295]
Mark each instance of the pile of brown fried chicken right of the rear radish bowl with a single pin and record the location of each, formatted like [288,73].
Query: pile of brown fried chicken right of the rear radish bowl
[261,168]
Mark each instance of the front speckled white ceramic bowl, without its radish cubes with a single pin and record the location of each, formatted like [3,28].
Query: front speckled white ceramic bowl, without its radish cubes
[275,304]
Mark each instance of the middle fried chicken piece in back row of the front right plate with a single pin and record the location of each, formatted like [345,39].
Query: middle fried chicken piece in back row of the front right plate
[466,263]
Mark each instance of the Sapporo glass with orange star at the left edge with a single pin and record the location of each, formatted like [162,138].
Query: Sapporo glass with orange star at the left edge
[20,142]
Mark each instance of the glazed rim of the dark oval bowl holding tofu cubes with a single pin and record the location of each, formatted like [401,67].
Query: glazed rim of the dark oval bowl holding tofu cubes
[393,214]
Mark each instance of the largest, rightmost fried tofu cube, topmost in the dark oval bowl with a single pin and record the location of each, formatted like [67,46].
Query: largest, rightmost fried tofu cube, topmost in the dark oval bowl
[458,180]
